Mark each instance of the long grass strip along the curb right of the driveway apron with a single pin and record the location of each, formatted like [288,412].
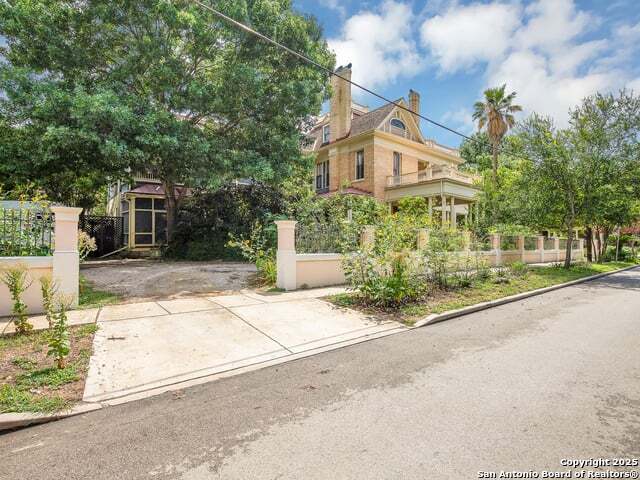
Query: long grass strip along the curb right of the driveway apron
[481,291]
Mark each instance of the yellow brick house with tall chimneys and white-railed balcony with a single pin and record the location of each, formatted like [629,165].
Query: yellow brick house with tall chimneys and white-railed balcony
[383,153]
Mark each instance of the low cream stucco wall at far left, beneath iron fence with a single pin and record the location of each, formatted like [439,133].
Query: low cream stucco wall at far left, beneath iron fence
[37,267]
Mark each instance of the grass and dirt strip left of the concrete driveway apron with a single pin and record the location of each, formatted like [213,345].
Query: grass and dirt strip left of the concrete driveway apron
[29,381]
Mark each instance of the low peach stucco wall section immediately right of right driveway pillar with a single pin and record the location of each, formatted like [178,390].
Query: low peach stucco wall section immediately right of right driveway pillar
[319,270]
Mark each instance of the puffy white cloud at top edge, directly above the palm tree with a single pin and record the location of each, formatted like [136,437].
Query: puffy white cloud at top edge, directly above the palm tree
[461,38]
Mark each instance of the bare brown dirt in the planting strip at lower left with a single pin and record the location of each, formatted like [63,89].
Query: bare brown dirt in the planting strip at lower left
[28,353]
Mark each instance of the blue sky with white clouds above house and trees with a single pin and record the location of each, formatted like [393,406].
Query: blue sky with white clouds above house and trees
[552,52]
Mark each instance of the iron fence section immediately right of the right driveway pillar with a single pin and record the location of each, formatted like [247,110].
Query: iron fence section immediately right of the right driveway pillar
[326,238]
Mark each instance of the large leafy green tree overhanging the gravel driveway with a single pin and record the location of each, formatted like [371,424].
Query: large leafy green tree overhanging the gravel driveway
[103,88]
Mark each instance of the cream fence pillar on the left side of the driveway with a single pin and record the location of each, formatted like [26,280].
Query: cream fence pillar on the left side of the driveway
[66,259]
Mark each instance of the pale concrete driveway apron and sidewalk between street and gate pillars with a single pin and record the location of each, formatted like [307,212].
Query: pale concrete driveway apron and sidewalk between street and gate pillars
[144,347]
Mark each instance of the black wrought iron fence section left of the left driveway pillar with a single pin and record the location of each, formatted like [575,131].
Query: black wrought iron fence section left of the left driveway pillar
[25,232]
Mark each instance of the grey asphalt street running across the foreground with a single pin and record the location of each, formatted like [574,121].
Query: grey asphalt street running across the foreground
[518,387]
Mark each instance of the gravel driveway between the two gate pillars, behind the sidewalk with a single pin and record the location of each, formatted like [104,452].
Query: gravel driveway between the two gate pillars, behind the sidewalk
[138,279]
